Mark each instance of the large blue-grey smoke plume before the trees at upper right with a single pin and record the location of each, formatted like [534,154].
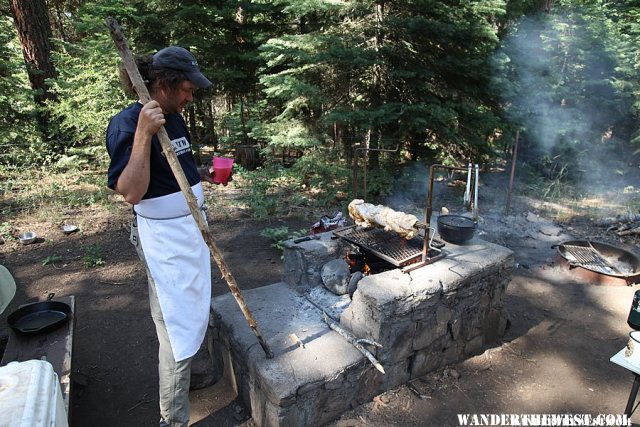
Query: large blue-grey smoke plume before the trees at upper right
[554,76]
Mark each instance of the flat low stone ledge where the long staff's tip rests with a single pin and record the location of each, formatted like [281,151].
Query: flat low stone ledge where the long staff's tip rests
[294,371]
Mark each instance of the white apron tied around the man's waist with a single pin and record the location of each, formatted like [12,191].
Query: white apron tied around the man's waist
[179,262]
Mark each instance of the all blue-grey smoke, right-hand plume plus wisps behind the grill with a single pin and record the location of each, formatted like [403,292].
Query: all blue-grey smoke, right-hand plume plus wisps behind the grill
[554,75]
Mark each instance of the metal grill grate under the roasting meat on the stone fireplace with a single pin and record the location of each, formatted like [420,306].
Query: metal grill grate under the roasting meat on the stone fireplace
[385,245]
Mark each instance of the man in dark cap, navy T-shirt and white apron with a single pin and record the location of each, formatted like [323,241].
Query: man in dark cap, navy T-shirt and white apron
[165,235]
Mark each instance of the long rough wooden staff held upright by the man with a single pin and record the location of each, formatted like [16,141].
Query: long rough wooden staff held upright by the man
[172,158]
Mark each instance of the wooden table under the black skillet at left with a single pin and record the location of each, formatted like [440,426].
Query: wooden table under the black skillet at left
[55,347]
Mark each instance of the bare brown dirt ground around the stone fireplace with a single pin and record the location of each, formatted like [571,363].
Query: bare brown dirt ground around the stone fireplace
[554,358]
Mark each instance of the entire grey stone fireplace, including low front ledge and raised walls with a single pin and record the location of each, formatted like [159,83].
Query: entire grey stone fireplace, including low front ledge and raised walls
[433,316]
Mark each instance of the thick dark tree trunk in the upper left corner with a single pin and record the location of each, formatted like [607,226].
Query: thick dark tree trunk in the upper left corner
[31,20]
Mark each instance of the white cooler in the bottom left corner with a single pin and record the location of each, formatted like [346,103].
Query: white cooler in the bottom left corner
[30,396]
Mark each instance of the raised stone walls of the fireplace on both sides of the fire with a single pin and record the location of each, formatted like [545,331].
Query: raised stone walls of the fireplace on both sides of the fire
[436,315]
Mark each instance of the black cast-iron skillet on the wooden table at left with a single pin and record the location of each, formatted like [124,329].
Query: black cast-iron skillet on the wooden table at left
[39,317]
